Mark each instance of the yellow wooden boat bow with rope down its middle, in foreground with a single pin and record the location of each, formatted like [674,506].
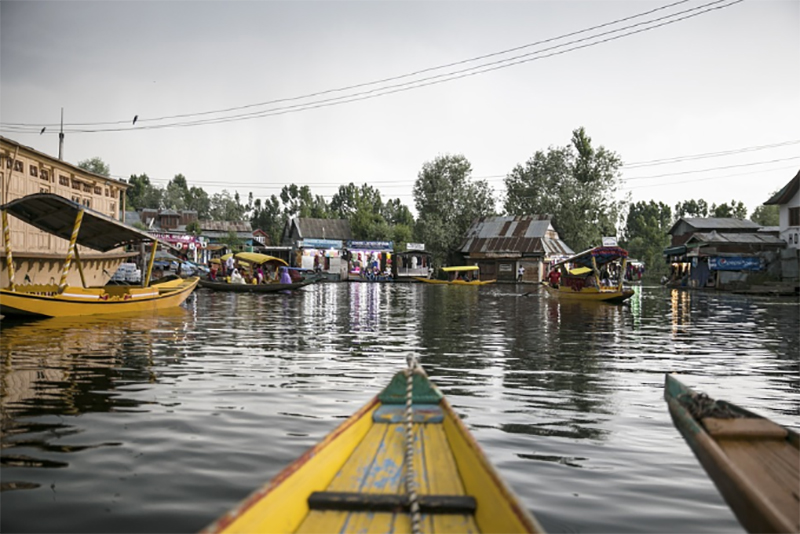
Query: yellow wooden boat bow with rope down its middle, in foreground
[357,478]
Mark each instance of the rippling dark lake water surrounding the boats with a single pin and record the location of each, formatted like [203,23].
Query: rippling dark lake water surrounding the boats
[160,424]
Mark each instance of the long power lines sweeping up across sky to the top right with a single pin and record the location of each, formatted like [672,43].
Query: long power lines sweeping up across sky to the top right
[426,81]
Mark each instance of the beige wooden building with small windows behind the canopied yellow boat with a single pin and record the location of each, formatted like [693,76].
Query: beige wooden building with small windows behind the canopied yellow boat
[39,256]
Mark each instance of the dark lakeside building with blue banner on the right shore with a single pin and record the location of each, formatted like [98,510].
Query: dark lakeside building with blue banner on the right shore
[721,252]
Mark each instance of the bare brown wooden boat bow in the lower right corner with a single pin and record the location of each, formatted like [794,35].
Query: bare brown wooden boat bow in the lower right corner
[754,462]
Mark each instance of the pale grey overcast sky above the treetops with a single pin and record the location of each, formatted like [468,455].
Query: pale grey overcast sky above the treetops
[723,84]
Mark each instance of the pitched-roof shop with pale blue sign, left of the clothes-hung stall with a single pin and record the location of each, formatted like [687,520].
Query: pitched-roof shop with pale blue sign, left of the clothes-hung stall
[318,244]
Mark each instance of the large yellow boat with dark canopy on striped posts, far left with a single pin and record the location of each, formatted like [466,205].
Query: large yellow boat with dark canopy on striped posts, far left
[80,225]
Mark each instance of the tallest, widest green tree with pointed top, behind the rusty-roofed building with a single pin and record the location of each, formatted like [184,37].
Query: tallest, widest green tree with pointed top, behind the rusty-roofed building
[575,184]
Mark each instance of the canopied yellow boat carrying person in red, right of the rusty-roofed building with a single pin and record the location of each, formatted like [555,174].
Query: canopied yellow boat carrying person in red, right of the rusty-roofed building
[590,277]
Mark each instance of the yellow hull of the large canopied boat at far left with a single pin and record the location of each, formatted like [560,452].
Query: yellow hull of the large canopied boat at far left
[46,301]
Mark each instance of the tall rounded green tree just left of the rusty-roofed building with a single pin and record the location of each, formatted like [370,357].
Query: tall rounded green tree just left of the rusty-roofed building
[447,202]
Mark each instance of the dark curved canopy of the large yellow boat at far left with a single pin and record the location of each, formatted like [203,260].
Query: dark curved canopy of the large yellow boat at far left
[56,215]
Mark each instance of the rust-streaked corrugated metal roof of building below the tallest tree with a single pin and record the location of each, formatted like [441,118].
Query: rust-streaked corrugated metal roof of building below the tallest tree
[513,235]
